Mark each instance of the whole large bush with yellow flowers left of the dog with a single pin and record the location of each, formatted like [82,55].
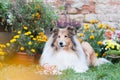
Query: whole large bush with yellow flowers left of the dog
[29,25]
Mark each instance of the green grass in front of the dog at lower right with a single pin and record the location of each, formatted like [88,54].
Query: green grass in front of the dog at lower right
[103,72]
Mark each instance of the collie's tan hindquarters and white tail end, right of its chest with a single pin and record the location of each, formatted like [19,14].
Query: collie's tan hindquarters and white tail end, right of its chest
[91,56]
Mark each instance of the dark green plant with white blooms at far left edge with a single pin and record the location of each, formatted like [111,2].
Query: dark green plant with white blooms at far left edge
[6,17]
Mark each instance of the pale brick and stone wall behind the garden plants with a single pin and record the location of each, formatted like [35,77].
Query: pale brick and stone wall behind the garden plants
[107,11]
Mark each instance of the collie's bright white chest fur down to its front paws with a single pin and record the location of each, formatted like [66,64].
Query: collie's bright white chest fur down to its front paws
[64,60]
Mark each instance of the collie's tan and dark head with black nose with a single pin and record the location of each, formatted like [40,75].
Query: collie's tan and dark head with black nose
[63,38]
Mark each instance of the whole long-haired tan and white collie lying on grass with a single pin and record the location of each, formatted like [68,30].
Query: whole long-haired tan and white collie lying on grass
[64,50]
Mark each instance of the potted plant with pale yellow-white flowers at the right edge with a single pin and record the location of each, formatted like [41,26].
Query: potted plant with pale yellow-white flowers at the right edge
[111,49]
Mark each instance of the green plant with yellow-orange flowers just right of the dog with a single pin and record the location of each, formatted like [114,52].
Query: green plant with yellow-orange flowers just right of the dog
[94,33]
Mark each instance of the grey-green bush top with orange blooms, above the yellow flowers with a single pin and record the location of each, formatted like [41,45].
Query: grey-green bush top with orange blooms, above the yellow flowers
[36,15]
